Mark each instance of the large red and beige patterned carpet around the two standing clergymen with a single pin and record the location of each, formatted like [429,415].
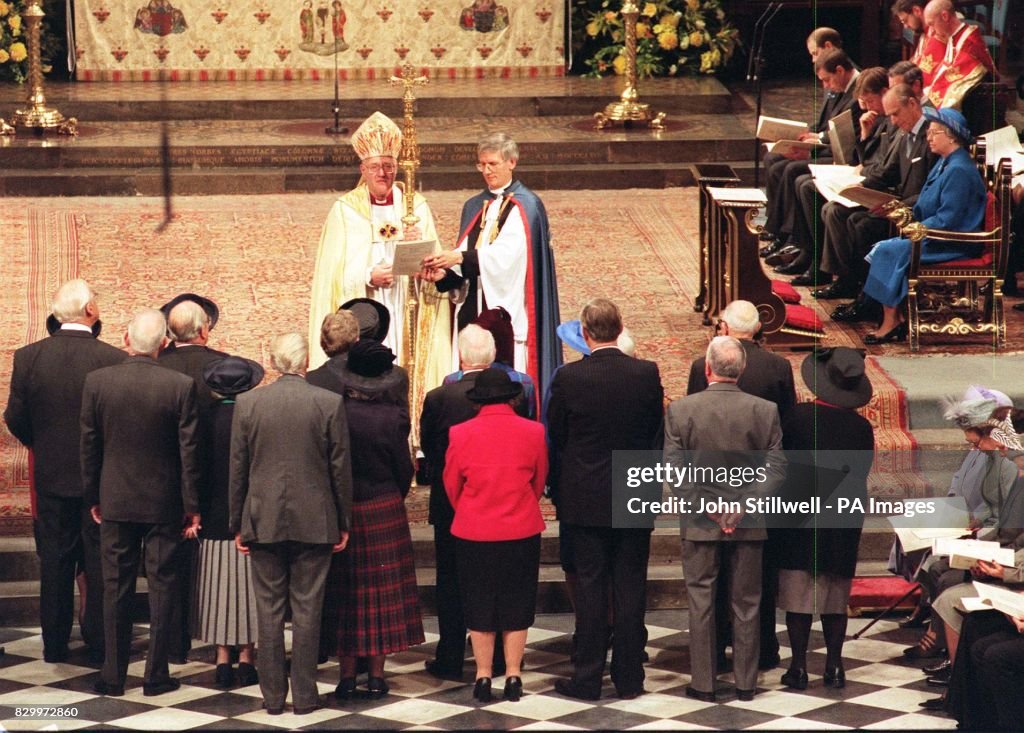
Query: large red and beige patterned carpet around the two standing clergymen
[254,256]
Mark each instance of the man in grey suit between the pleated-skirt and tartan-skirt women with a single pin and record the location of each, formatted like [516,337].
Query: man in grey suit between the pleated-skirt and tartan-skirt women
[291,493]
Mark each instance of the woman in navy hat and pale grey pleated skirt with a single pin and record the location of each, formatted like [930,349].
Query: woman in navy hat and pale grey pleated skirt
[224,606]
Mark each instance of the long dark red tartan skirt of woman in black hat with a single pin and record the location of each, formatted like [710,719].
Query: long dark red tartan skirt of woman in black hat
[379,603]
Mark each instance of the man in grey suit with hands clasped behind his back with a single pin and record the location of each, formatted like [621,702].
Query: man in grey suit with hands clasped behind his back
[699,429]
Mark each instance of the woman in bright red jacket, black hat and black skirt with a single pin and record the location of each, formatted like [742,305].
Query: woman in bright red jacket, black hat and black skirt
[495,471]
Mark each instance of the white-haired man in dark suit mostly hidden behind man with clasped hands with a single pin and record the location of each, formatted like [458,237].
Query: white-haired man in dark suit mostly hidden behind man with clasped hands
[771,377]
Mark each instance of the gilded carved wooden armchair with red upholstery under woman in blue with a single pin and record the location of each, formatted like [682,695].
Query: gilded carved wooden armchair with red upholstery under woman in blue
[962,297]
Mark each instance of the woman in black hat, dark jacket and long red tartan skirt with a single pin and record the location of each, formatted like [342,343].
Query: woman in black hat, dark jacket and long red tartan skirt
[379,605]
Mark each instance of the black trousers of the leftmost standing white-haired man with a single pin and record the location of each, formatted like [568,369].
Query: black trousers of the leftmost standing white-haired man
[68,542]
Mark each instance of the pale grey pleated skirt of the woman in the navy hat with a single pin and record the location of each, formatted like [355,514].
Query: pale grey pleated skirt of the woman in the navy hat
[224,610]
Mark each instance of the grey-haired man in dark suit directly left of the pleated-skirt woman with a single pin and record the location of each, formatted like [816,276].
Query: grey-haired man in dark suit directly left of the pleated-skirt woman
[141,475]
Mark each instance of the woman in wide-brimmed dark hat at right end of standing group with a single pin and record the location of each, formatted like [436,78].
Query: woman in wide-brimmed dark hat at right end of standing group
[818,565]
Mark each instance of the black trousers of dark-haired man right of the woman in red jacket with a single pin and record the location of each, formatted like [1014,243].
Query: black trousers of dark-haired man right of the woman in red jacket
[618,558]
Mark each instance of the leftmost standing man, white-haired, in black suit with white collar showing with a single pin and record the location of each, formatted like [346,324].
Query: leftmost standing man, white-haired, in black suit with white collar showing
[44,413]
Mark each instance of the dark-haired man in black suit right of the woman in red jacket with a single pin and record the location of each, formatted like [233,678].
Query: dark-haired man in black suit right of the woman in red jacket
[608,402]
